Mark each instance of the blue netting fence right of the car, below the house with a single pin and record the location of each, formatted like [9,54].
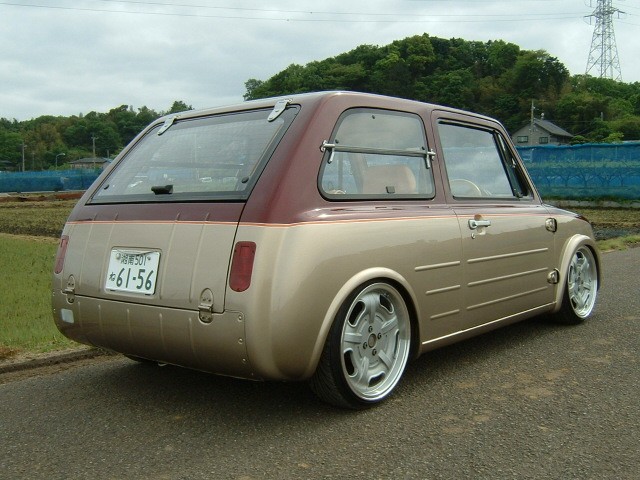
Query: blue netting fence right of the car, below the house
[585,171]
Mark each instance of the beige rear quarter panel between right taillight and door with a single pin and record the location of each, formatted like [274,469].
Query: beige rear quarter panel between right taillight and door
[303,281]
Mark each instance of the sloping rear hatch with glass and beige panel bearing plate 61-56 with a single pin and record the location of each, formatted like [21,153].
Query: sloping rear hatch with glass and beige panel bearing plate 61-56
[159,228]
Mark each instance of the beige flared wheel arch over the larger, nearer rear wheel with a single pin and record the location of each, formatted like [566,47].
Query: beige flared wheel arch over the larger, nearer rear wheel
[377,273]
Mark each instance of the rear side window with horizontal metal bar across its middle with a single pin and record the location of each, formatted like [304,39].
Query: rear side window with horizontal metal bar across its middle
[376,154]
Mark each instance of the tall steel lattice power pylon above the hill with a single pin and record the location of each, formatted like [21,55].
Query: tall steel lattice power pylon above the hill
[603,57]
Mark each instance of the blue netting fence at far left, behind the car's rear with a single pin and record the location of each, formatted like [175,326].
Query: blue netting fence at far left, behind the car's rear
[48,181]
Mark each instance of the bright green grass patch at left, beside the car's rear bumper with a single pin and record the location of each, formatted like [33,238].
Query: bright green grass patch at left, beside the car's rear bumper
[26,322]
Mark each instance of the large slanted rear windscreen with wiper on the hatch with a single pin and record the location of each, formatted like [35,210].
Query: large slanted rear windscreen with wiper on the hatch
[208,158]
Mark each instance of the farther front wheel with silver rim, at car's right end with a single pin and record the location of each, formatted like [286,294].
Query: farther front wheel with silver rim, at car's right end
[581,288]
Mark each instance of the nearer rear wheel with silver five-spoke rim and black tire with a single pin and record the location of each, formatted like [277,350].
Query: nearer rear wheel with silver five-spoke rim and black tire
[367,348]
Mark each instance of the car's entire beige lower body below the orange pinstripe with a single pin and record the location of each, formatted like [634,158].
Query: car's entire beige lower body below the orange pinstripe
[277,328]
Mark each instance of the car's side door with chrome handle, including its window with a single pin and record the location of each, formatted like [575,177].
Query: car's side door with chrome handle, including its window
[507,237]
